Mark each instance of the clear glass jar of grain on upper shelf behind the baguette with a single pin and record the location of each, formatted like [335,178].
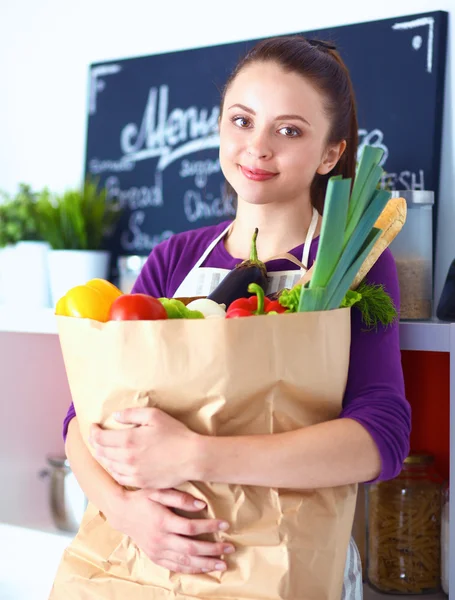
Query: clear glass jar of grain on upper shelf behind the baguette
[413,253]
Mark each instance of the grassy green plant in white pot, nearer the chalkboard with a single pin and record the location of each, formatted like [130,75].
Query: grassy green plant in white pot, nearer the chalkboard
[76,224]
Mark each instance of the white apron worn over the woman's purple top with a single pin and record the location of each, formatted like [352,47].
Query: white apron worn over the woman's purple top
[201,281]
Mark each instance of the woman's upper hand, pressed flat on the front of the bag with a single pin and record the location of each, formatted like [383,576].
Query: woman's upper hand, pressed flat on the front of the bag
[159,454]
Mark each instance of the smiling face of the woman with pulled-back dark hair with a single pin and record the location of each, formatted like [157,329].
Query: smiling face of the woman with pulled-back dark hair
[272,135]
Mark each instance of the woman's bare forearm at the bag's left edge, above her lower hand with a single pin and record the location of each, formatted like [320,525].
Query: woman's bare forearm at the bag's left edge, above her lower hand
[97,484]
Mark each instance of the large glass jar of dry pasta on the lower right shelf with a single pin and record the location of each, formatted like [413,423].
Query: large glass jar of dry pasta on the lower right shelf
[404,530]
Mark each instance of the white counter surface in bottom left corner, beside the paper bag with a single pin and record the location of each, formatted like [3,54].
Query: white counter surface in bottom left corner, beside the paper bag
[28,561]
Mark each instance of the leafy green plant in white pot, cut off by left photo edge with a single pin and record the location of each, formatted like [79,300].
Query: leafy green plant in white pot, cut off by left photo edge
[23,259]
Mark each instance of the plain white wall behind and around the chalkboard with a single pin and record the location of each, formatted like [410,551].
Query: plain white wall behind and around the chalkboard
[46,47]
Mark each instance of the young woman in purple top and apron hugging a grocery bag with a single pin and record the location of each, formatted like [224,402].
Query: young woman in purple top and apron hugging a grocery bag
[288,123]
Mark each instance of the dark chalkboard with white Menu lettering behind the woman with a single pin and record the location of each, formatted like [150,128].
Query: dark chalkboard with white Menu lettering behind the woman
[152,122]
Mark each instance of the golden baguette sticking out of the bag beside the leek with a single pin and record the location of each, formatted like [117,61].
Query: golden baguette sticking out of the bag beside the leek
[391,221]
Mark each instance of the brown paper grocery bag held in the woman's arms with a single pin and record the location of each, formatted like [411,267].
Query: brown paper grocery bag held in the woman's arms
[260,375]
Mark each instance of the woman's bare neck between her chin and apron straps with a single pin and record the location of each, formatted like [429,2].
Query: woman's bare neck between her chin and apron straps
[281,228]
